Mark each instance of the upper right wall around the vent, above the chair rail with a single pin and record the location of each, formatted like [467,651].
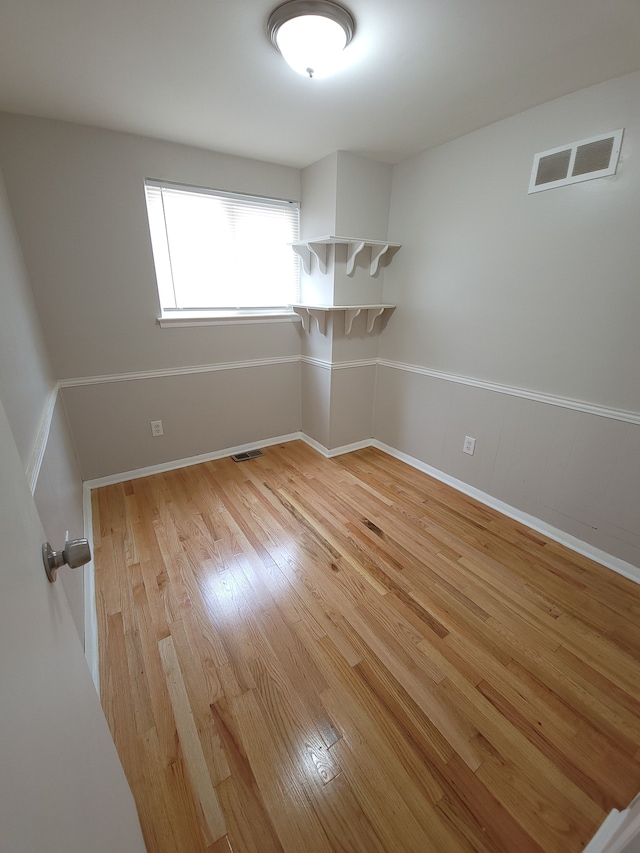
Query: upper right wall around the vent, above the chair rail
[535,291]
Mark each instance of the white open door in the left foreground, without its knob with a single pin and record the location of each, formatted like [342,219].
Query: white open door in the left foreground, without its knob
[61,784]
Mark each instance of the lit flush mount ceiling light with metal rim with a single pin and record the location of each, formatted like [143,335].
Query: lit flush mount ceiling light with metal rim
[311,35]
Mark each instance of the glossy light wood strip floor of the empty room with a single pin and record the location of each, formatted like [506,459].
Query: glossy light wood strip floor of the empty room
[300,654]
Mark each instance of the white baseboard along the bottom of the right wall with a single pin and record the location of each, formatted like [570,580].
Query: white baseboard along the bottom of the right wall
[572,542]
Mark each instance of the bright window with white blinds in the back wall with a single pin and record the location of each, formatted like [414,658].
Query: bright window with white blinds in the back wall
[221,252]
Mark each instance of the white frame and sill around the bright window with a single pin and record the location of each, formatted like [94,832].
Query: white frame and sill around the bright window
[176,316]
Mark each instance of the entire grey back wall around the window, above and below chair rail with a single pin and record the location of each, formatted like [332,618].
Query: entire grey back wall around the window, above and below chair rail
[77,197]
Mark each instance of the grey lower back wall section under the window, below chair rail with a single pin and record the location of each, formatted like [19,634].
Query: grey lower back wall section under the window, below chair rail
[201,413]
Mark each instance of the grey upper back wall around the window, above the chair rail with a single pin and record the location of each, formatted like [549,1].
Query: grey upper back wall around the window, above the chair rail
[77,198]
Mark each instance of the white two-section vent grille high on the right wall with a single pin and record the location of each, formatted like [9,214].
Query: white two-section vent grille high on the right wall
[580,161]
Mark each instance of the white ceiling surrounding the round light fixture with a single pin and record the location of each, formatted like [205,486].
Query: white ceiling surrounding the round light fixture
[204,72]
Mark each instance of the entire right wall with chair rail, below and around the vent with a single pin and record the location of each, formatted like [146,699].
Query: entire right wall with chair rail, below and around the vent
[539,293]
